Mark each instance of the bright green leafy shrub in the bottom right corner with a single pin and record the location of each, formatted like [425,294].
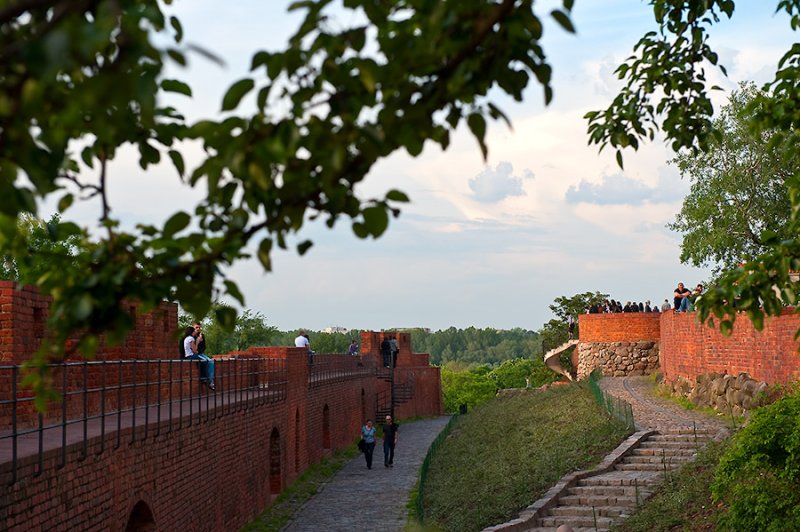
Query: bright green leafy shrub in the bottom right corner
[759,475]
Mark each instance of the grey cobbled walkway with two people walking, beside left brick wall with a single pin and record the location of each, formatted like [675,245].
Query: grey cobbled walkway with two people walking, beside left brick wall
[358,498]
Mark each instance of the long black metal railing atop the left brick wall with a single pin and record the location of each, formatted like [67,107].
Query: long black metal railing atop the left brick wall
[137,398]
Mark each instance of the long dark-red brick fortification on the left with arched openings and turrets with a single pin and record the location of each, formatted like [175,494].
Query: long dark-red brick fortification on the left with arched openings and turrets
[239,453]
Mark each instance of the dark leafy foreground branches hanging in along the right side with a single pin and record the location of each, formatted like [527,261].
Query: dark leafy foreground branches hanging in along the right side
[666,89]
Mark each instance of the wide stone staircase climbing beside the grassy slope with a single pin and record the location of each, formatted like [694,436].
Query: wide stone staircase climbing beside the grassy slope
[595,500]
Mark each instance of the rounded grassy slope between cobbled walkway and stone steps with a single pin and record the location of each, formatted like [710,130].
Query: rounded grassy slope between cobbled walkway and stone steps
[508,452]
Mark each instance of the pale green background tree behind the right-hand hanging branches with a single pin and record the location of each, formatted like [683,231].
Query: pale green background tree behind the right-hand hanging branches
[738,188]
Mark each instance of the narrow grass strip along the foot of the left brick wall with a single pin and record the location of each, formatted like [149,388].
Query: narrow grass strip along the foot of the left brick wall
[278,514]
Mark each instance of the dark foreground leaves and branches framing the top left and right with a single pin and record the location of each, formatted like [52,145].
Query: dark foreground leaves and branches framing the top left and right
[81,80]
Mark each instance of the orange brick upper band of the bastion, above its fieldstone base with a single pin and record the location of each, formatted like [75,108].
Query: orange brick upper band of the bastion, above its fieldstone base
[619,327]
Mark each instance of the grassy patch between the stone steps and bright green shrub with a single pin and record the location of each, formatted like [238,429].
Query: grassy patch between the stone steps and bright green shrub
[683,502]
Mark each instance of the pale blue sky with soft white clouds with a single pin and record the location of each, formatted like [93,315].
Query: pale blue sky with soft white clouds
[483,243]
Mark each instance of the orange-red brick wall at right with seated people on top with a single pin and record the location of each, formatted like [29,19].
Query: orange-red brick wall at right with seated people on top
[689,348]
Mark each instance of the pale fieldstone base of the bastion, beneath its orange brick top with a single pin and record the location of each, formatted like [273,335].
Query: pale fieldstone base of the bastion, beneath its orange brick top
[617,359]
